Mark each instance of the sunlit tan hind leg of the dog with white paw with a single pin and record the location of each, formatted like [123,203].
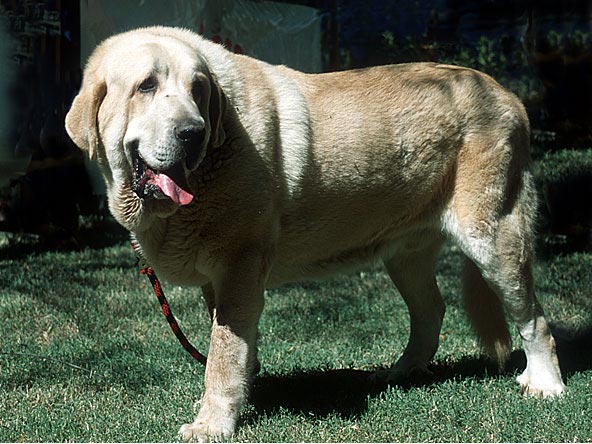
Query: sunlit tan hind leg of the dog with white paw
[491,217]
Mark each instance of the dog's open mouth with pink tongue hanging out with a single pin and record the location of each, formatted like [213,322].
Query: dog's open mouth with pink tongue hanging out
[170,184]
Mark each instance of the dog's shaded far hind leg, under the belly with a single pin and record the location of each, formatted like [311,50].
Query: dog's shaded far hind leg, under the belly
[413,275]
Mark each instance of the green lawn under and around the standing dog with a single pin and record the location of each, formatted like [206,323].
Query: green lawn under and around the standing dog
[85,355]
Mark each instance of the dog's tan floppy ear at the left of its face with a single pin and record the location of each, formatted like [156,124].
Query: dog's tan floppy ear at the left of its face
[81,120]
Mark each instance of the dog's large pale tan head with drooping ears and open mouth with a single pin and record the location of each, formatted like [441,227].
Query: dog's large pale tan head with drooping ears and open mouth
[148,110]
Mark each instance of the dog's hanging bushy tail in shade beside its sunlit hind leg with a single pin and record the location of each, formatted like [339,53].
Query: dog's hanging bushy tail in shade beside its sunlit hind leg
[486,314]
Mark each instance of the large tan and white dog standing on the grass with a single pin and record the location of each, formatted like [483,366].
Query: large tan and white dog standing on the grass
[235,175]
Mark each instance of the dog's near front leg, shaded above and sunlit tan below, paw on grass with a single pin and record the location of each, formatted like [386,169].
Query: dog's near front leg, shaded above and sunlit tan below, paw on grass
[233,351]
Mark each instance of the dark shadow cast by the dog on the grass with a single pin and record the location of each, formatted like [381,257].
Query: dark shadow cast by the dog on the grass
[346,392]
